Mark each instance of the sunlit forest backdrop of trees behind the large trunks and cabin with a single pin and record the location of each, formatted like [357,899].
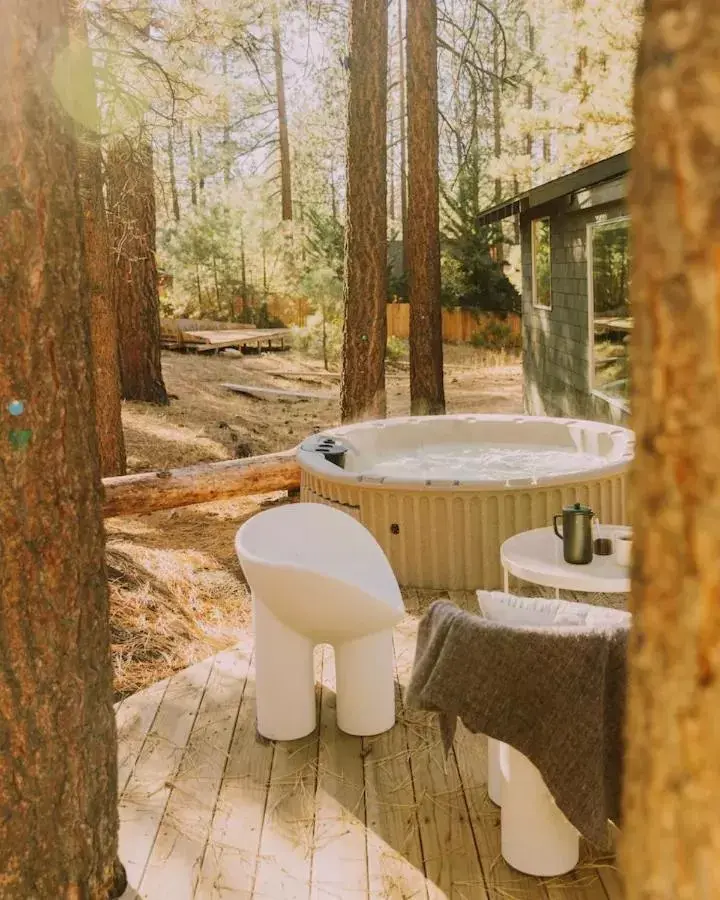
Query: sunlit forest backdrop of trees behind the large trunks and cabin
[243,109]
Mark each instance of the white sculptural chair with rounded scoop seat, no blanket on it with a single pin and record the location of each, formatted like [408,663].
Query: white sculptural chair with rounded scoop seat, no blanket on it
[318,576]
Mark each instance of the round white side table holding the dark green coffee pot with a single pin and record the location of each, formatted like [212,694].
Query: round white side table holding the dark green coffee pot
[537,556]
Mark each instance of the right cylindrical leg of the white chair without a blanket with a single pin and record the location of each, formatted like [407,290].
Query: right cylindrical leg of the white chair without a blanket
[365,684]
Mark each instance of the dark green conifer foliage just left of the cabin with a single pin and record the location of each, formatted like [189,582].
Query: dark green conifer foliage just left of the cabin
[470,277]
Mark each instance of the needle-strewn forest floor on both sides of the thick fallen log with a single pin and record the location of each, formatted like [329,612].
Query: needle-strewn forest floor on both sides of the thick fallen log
[177,591]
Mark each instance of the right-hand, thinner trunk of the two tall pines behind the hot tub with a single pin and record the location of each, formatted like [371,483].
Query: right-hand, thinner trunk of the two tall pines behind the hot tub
[427,395]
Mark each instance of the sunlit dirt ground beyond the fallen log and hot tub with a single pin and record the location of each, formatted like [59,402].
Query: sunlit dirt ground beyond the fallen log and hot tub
[206,422]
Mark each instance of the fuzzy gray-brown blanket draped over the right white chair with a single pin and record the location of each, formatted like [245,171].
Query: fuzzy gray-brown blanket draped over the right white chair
[555,694]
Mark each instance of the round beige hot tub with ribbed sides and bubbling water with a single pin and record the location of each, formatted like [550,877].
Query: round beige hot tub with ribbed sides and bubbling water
[441,493]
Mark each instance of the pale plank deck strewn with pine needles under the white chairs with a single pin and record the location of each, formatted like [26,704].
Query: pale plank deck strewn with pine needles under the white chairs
[211,811]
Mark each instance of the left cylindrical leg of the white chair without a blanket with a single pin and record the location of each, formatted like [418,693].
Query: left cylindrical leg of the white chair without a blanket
[284,680]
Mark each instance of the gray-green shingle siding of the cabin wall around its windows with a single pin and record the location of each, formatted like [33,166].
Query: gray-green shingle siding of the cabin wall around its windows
[556,341]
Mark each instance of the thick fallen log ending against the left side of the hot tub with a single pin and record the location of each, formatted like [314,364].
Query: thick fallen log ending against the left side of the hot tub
[149,491]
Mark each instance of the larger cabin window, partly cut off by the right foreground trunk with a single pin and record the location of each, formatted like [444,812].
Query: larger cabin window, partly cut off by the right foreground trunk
[609,305]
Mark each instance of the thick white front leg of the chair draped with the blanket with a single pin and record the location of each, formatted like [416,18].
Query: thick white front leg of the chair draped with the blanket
[535,836]
